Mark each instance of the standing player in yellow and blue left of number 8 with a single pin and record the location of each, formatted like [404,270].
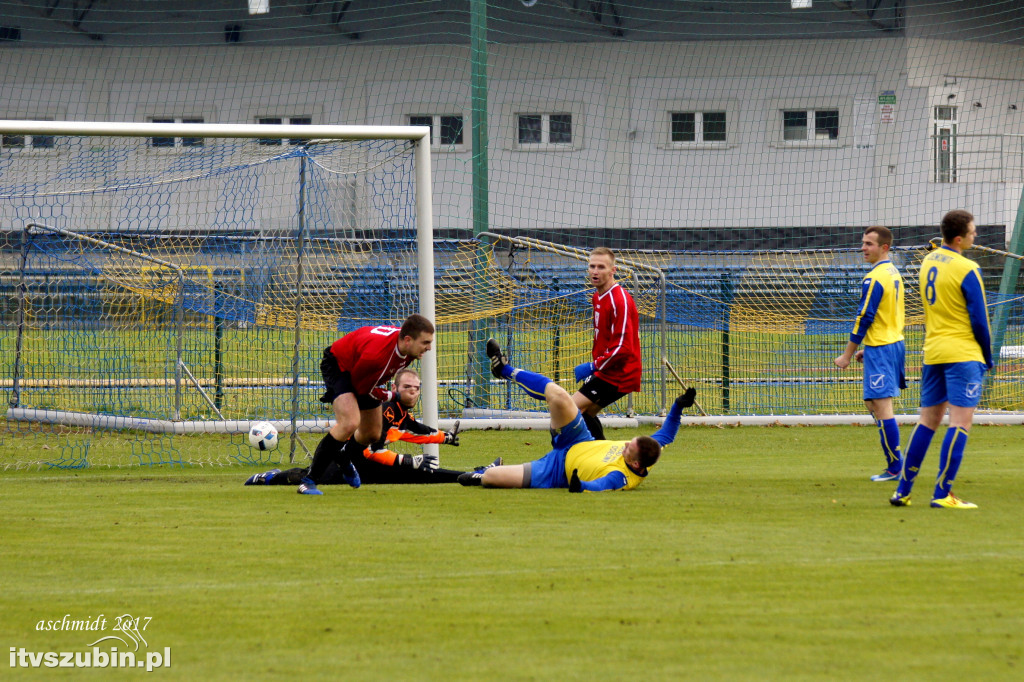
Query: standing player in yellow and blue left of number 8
[880,327]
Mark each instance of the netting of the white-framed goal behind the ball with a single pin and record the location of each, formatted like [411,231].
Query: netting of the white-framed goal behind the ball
[204,286]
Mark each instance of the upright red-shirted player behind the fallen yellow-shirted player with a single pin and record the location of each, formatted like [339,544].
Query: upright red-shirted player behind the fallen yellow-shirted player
[616,368]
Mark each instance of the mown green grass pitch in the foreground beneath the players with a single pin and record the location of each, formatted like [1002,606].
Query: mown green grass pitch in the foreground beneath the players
[751,555]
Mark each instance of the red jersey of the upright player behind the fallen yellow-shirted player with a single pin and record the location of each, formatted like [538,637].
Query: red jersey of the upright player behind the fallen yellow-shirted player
[617,339]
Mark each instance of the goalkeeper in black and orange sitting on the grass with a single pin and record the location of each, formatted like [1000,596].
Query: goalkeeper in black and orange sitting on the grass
[378,464]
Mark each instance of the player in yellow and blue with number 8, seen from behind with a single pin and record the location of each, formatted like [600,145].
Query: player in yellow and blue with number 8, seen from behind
[958,352]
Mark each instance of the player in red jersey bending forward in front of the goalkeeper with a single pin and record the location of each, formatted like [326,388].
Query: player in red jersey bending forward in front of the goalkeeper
[354,368]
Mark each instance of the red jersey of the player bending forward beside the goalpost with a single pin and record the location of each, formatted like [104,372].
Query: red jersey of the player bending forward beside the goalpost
[371,356]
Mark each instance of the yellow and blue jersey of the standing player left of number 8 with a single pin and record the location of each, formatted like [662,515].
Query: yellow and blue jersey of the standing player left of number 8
[881,313]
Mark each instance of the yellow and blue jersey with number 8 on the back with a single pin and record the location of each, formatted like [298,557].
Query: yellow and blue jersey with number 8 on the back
[957,327]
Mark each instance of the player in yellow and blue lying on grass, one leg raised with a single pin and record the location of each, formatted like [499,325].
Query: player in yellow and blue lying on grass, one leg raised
[577,461]
